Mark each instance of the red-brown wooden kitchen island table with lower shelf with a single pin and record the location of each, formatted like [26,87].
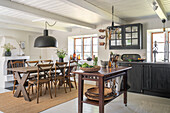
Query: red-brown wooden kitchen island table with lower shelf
[103,75]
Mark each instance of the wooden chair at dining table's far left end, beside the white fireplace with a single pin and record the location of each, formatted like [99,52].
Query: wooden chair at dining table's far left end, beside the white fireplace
[15,64]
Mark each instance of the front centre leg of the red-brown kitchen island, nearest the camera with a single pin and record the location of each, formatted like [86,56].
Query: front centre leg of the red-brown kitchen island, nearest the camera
[101,95]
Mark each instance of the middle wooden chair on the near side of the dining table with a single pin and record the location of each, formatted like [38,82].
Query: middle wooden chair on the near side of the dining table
[60,76]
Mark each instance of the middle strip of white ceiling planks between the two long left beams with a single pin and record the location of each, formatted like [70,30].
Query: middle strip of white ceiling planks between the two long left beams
[64,8]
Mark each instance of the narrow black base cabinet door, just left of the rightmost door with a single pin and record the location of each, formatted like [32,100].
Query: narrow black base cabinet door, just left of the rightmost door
[147,77]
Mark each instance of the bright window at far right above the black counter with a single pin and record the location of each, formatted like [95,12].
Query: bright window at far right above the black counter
[159,37]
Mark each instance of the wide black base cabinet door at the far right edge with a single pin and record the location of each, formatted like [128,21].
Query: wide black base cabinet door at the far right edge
[160,78]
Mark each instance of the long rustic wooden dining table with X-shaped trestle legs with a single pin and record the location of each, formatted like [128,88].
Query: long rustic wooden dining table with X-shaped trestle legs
[26,71]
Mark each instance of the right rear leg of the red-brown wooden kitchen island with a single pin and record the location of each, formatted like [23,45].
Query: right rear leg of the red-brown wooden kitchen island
[125,88]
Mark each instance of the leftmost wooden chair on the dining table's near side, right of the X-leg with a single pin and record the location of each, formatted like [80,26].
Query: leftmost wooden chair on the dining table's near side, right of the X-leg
[46,69]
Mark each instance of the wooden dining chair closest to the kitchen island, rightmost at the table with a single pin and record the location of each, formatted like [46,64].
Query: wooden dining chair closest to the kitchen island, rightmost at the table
[70,75]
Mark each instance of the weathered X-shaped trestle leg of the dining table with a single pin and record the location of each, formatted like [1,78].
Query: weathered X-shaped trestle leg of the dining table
[21,87]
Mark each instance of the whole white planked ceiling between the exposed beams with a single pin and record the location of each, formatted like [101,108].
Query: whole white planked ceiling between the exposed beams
[124,9]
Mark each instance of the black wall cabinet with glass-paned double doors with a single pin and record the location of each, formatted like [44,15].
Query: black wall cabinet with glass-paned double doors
[127,37]
